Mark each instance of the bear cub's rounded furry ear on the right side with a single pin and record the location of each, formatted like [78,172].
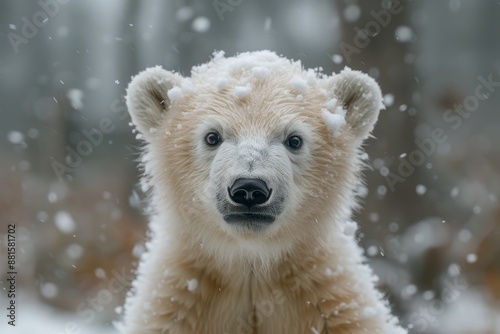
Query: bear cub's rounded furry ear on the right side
[361,98]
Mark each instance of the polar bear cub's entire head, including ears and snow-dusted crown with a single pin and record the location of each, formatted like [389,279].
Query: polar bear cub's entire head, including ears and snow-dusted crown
[252,152]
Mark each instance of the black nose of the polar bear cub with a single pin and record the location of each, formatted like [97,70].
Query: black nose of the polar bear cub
[249,192]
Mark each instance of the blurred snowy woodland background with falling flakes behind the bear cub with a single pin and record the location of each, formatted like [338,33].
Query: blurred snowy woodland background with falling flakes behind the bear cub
[68,172]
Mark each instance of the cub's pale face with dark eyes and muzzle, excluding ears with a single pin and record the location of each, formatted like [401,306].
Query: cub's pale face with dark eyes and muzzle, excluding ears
[255,155]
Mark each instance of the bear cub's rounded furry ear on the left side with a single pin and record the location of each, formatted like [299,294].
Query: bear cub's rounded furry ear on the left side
[147,97]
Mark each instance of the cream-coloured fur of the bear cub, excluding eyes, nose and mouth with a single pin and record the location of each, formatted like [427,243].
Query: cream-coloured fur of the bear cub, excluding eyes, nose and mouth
[302,274]
